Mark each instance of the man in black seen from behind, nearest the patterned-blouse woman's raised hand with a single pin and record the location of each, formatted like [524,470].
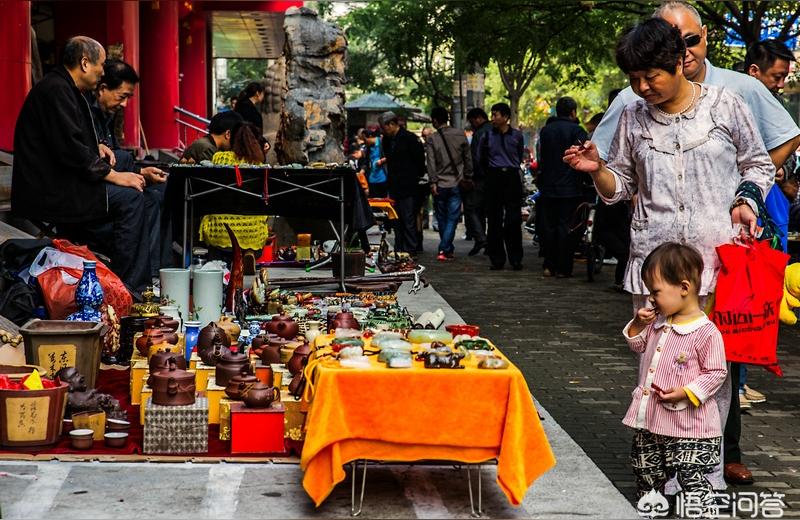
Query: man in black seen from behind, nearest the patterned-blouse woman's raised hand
[561,189]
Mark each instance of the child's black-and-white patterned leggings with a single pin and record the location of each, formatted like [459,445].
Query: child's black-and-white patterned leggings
[657,458]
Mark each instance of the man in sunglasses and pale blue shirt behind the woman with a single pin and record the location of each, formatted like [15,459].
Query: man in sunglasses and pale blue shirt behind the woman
[781,137]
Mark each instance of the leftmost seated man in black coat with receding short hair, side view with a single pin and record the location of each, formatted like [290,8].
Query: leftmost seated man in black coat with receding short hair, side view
[59,175]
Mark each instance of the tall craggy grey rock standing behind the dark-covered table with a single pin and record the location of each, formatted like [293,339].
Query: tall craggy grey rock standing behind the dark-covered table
[312,122]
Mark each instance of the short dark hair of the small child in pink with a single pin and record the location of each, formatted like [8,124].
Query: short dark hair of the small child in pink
[674,263]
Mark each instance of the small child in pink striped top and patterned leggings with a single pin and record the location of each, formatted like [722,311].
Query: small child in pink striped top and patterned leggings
[673,412]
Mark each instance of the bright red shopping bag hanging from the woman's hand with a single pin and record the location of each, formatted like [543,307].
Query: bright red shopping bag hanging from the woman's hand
[746,301]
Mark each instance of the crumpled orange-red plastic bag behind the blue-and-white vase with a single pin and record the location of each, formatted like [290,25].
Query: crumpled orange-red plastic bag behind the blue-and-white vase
[58,281]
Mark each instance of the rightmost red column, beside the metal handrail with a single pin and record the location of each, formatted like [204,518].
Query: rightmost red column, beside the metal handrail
[194,67]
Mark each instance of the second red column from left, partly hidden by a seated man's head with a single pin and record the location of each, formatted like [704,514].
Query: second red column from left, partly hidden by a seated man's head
[123,29]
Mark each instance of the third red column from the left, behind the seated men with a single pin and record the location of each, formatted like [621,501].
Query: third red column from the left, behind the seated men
[158,52]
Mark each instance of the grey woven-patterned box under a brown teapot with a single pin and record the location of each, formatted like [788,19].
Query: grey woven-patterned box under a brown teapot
[176,429]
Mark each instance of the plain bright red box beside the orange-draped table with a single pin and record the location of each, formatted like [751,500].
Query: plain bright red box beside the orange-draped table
[257,430]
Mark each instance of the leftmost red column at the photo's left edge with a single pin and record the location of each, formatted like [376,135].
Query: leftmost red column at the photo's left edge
[15,65]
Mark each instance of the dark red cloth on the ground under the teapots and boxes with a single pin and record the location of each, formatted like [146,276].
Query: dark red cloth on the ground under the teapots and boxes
[117,383]
